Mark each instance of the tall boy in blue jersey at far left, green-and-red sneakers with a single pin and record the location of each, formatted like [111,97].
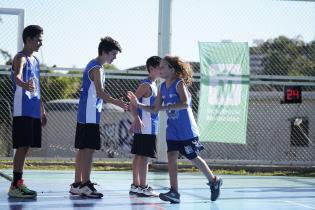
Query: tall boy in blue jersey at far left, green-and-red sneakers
[28,112]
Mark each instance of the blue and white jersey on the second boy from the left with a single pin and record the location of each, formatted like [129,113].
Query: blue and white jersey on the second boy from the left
[90,105]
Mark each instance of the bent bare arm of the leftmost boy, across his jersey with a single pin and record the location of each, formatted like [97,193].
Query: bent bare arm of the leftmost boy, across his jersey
[18,65]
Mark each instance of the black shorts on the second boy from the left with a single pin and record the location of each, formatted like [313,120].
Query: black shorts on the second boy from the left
[87,136]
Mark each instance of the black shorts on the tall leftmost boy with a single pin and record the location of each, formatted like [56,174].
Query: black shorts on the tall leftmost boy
[26,132]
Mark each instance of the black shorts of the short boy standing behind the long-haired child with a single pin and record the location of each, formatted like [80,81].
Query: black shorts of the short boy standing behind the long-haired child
[144,144]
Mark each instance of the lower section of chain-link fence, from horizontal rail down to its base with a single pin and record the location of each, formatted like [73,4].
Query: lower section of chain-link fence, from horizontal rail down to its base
[271,134]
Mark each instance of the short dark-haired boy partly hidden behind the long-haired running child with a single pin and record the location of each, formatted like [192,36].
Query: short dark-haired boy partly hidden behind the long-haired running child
[145,129]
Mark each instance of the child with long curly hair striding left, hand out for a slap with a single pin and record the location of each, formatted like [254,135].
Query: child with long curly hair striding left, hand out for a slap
[182,131]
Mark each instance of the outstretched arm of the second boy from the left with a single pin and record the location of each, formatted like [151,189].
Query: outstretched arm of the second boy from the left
[95,76]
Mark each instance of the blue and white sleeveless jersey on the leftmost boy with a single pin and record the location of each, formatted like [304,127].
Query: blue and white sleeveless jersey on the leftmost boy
[24,102]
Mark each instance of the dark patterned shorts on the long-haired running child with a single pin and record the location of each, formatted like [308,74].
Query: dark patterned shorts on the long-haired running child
[189,148]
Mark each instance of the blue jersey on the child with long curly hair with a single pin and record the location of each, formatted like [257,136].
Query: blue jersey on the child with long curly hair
[181,124]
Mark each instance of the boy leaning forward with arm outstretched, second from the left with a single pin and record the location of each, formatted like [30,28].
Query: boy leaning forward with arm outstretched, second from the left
[87,137]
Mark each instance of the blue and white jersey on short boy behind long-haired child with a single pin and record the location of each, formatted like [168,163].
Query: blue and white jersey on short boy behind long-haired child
[150,120]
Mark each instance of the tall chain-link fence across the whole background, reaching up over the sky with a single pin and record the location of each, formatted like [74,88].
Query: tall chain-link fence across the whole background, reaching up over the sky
[279,57]
